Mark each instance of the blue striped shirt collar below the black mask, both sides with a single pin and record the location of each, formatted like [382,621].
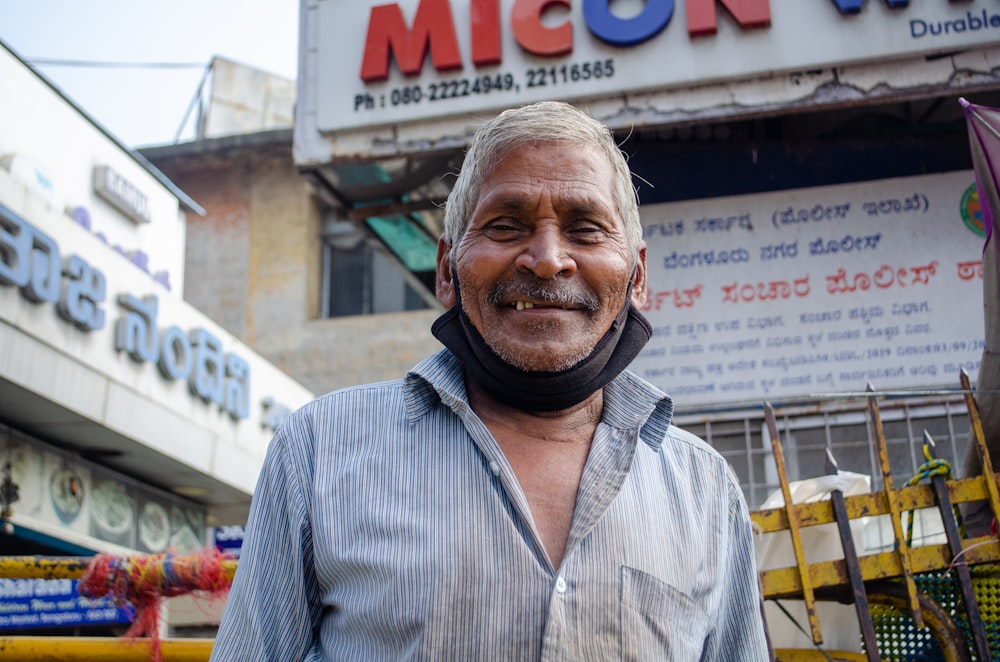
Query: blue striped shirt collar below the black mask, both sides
[630,402]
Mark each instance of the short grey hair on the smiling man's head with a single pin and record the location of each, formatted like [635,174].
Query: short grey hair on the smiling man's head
[543,122]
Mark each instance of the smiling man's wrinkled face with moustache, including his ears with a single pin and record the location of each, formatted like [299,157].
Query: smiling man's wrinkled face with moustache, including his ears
[544,265]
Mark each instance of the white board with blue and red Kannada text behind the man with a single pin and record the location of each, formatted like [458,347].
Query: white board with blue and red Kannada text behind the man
[813,291]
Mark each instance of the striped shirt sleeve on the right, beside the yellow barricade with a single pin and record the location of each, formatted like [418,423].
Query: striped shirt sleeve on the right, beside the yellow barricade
[739,635]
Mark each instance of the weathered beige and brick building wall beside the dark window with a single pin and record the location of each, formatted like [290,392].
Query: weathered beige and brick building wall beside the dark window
[254,266]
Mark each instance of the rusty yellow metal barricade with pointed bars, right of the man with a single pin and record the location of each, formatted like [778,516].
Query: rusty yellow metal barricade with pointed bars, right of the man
[830,579]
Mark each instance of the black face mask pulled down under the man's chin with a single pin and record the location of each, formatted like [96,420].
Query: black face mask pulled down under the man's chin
[543,391]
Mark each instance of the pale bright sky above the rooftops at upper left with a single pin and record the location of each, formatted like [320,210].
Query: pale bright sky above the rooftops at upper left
[146,105]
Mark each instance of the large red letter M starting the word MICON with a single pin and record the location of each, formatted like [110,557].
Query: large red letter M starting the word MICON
[387,32]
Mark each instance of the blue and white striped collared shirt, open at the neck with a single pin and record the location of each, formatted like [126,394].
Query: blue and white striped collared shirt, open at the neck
[387,525]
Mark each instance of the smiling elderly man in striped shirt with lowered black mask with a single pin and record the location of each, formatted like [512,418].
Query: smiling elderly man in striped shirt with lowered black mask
[519,495]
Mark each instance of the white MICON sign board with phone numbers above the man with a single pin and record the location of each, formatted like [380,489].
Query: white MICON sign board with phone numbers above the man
[485,55]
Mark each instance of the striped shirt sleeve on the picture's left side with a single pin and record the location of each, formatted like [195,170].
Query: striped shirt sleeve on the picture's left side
[273,610]
